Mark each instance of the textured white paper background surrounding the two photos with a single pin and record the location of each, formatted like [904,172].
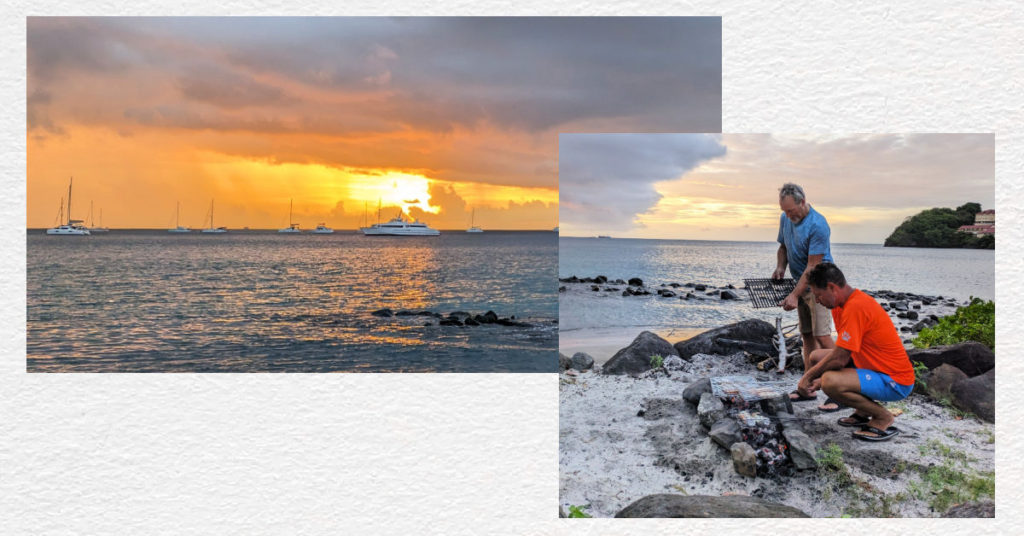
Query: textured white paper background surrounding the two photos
[476,455]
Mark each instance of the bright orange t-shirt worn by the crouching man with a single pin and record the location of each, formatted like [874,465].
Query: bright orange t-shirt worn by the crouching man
[866,331]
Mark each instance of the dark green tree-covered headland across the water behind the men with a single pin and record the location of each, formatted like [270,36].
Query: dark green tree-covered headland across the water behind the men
[936,228]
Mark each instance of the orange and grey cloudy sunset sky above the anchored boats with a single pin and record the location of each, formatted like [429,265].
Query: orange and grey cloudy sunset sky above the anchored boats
[437,116]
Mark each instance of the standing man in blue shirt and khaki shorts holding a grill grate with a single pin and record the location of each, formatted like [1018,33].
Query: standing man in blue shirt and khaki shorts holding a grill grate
[803,243]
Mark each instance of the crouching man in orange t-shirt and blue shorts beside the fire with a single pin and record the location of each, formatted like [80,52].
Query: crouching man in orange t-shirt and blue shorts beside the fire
[866,336]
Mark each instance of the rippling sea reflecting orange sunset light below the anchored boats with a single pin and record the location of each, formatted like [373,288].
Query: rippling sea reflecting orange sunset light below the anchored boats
[259,302]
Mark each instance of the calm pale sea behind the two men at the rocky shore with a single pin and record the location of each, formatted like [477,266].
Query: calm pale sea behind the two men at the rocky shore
[586,316]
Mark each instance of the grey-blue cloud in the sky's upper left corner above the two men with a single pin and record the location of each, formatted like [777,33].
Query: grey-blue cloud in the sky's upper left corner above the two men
[606,181]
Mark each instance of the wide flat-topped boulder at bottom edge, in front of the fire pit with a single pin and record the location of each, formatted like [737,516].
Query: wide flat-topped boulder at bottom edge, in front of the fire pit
[670,506]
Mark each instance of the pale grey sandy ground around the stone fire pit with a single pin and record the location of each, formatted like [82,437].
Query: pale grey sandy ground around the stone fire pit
[610,457]
